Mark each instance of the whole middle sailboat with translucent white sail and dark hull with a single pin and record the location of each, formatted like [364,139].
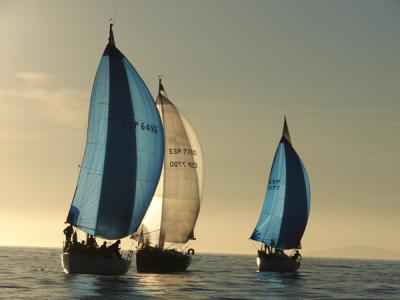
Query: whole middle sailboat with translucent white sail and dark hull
[169,223]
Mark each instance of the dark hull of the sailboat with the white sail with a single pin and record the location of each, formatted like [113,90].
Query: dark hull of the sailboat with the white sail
[154,260]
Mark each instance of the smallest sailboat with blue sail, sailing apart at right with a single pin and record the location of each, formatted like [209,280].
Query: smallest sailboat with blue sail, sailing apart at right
[284,215]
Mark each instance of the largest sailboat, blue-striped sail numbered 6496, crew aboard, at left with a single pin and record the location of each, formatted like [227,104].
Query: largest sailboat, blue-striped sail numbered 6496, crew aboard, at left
[122,163]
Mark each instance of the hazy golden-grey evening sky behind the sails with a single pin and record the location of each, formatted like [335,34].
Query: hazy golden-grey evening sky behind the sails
[235,68]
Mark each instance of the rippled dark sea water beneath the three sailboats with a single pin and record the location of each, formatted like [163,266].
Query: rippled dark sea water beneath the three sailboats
[33,273]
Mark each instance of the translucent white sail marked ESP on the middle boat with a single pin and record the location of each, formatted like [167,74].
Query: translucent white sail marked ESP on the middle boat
[173,212]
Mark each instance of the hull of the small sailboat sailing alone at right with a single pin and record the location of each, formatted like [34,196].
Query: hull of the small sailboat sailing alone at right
[274,263]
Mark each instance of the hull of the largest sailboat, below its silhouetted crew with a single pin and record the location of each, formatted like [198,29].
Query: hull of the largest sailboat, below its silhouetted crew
[84,264]
